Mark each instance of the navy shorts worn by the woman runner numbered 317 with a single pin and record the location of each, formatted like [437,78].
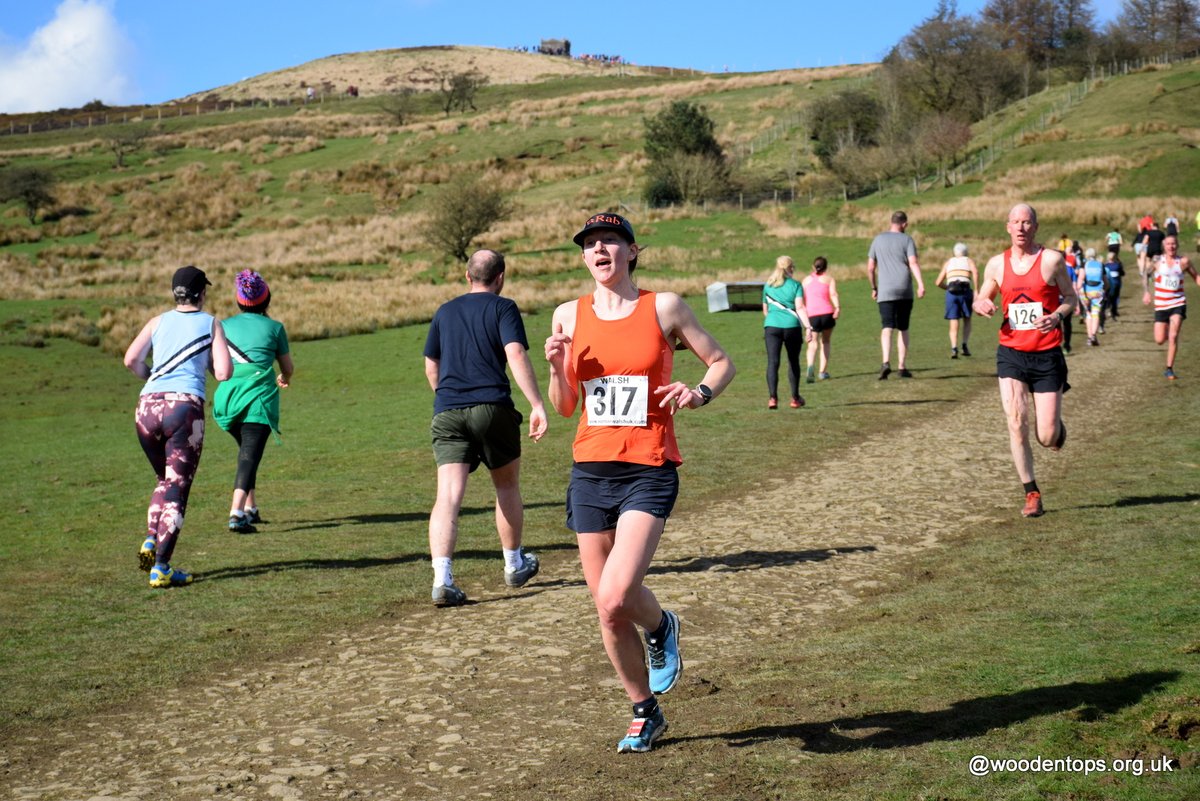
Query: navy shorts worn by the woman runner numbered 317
[601,492]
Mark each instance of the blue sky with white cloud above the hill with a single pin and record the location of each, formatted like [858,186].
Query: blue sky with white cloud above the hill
[65,53]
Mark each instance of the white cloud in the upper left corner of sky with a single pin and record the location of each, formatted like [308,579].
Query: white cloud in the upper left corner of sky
[79,57]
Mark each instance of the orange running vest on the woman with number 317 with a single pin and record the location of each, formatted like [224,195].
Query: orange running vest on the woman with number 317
[603,353]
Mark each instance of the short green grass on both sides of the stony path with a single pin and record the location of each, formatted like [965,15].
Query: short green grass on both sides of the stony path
[1077,640]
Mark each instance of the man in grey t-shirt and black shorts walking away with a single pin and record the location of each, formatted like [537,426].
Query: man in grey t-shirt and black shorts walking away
[892,267]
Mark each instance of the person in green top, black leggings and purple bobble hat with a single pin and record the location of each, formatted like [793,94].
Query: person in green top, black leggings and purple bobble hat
[248,406]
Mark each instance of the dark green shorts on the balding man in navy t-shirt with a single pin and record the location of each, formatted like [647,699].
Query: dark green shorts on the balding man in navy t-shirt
[488,435]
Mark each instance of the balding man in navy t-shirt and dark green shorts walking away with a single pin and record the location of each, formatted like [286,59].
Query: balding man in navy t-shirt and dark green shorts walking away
[472,339]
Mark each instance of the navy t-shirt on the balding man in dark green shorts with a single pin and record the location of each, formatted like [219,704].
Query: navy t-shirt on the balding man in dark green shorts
[467,340]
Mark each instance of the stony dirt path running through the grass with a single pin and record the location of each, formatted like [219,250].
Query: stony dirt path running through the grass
[445,703]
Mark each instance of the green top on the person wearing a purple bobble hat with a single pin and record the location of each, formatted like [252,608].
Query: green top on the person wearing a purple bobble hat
[251,395]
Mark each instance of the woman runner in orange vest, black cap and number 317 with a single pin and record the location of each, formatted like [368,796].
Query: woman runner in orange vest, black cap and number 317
[613,351]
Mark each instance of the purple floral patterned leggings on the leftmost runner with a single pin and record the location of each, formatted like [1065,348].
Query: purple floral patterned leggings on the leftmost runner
[171,429]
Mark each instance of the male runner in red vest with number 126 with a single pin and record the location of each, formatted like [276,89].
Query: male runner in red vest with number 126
[1036,297]
